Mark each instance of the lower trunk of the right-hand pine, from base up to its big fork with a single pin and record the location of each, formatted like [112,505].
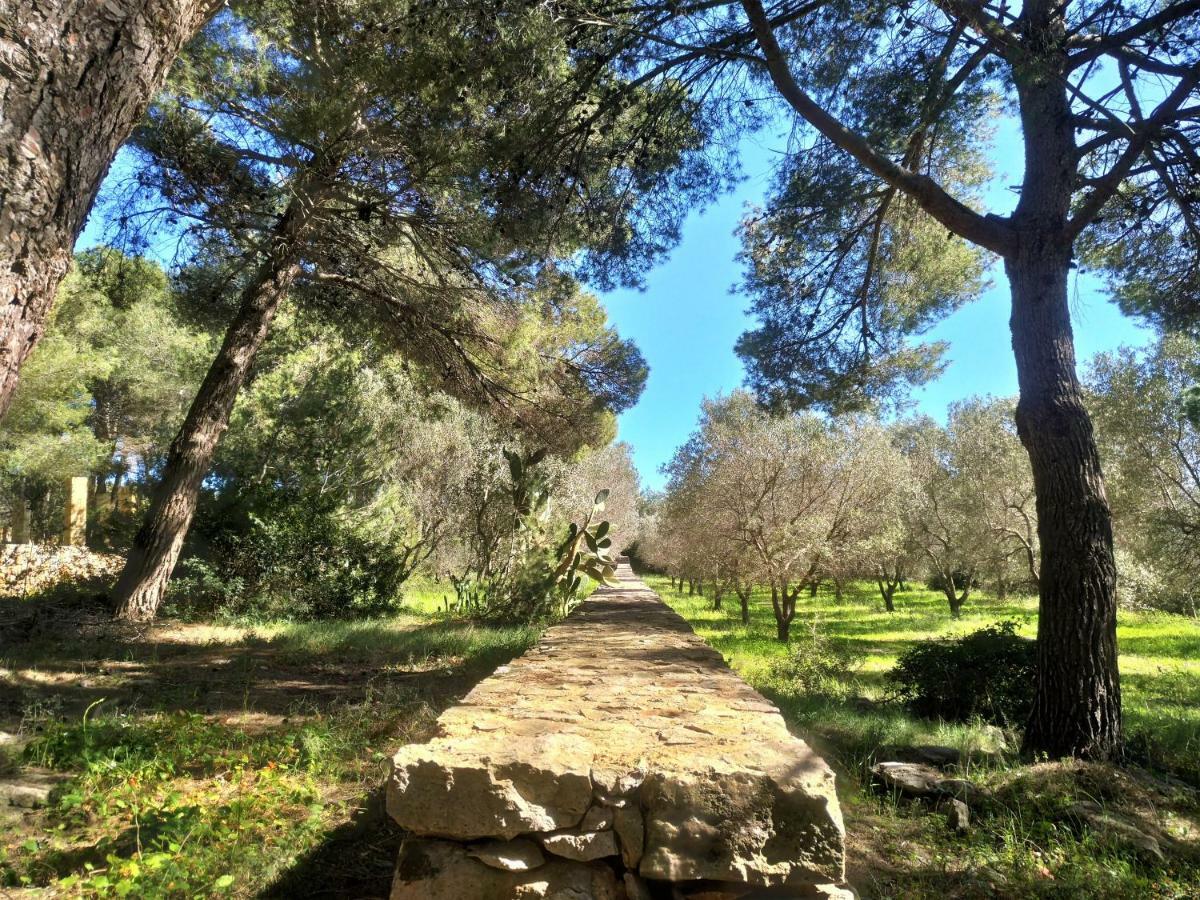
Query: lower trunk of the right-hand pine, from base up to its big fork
[1077,710]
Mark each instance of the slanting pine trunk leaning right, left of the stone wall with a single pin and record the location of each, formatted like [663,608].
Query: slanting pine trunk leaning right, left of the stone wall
[158,544]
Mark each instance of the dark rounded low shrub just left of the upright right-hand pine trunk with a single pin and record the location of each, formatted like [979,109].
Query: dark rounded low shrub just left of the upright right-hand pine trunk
[987,675]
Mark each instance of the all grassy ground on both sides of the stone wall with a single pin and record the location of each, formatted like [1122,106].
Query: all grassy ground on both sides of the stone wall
[245,760]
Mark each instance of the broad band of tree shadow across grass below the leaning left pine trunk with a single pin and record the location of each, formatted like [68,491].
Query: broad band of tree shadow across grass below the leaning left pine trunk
[227,673]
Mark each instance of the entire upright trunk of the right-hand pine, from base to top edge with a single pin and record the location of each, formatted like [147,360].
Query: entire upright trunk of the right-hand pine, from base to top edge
[1077,709]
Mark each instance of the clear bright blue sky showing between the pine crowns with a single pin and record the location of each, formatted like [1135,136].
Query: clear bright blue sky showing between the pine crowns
[687,320]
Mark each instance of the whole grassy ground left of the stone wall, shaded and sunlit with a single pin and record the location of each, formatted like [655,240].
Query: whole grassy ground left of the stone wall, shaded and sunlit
[225,760]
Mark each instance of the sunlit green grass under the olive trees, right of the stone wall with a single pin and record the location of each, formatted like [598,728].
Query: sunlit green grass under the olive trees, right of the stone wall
[1022,844]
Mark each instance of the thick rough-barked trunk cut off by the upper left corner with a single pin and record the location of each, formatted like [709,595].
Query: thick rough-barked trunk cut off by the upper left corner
[75,79]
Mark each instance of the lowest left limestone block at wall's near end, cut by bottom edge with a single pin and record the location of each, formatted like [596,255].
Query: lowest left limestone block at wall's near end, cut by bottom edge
[443,871]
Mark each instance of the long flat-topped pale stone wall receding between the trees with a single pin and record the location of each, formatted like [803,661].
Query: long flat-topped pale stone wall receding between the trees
[622,707]
